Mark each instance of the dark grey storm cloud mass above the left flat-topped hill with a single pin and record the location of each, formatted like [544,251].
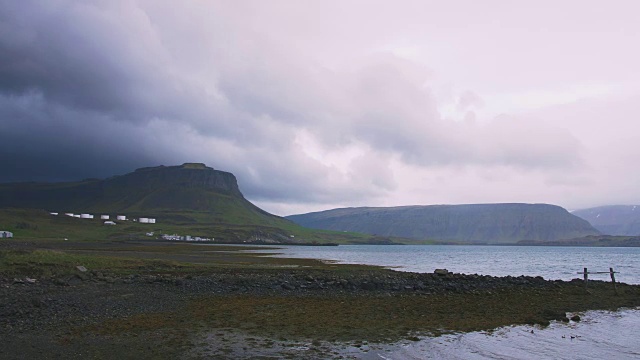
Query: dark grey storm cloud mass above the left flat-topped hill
[84,88]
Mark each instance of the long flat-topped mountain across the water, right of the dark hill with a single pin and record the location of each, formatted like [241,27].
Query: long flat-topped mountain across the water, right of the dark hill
[475,223]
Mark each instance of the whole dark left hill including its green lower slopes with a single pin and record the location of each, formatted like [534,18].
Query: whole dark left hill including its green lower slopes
[191,199]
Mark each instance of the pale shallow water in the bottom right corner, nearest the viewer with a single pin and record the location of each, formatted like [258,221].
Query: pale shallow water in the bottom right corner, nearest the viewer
[600,335]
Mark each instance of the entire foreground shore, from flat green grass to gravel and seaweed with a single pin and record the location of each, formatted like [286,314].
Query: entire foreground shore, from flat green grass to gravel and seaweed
[150,299]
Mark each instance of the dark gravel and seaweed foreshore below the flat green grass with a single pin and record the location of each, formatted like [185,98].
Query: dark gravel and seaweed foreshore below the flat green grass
[97,315]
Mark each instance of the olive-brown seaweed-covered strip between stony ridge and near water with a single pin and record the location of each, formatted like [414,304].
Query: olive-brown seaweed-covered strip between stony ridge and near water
[348,318]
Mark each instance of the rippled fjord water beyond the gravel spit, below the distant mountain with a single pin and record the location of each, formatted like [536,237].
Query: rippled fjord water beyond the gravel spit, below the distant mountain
[550,262]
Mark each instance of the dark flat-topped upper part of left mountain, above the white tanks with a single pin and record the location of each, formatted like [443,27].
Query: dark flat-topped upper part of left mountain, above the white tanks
[188,194]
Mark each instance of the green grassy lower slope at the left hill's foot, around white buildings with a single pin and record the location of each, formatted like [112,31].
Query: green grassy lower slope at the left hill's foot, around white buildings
[39,224]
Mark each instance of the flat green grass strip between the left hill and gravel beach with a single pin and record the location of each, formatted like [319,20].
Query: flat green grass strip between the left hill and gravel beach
[45,258]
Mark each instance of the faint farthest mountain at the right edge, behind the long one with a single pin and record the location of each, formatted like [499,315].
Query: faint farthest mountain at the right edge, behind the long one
[623,220]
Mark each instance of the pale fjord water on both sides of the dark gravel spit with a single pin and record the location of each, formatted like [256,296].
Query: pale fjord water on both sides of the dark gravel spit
[600,334]
